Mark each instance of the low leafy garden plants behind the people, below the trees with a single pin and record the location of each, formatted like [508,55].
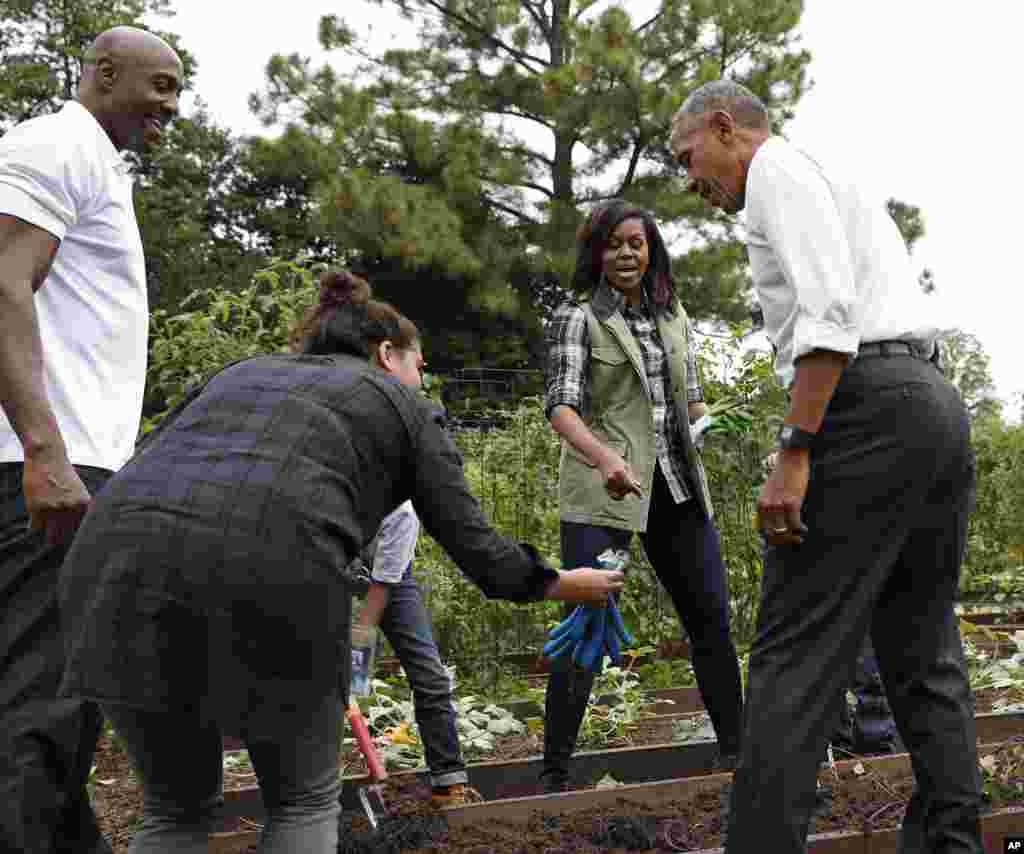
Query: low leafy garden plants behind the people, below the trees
[513,467]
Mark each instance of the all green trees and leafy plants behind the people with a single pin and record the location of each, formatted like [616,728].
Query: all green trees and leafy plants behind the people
[453,174]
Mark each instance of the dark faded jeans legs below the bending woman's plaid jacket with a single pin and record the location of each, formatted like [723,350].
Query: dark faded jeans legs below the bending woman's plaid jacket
[179,759]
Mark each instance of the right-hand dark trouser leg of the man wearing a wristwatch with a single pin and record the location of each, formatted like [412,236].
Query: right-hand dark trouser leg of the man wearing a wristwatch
[925,672]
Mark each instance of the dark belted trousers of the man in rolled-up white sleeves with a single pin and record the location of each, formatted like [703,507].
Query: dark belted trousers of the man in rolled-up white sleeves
[891,485]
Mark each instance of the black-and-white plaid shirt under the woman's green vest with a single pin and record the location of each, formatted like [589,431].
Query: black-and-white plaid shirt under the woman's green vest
[569,380]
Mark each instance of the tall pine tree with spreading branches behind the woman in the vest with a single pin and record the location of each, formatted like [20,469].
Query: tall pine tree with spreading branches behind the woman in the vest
[479,151]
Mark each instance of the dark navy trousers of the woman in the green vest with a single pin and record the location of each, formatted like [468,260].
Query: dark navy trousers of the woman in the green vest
[684,548]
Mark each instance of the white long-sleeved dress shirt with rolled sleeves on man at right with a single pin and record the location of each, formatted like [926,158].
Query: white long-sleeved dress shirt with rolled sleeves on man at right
[829,263]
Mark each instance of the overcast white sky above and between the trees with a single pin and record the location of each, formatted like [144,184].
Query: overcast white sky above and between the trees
[918,92]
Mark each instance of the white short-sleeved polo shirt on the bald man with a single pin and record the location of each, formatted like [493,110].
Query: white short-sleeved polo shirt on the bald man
[62,174]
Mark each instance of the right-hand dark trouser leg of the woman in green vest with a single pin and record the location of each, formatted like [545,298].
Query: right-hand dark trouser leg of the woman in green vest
[685,550]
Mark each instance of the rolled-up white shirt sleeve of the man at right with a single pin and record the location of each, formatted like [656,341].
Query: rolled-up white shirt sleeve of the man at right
[791,204]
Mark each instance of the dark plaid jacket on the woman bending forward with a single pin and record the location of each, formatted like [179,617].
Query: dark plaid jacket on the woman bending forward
[208,570]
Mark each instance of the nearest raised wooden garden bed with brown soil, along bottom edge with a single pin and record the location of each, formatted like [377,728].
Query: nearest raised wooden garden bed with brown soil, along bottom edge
[868,798]
